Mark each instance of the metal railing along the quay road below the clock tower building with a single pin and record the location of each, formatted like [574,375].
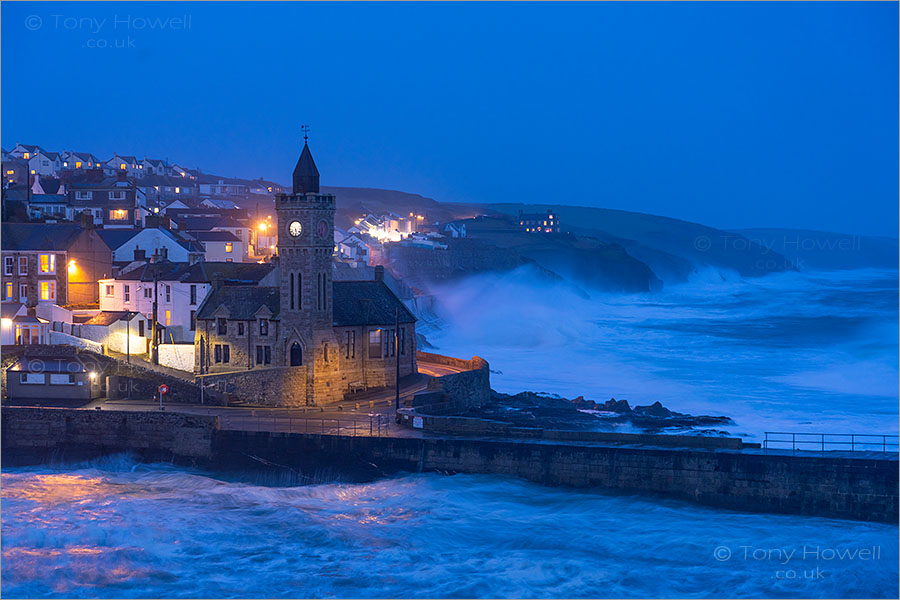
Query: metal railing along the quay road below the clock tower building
[370,426]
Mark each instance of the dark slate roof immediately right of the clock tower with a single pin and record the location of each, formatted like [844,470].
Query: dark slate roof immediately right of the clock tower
[367,303]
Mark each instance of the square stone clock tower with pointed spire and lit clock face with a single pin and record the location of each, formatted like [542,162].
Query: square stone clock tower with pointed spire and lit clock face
[305,246]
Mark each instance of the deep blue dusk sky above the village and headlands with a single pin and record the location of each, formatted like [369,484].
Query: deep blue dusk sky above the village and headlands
[728,114]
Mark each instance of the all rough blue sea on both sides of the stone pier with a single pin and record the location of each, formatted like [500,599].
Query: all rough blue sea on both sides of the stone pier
[793,352]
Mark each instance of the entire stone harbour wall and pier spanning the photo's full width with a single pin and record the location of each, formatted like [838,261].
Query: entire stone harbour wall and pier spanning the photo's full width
[860,486]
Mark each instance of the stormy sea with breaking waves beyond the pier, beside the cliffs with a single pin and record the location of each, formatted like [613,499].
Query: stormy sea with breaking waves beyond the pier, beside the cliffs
[796,352]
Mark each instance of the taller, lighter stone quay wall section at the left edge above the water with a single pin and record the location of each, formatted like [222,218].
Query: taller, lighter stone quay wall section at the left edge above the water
[38,434]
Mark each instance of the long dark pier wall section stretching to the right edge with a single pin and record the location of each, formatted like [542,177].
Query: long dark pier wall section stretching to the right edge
[747,480]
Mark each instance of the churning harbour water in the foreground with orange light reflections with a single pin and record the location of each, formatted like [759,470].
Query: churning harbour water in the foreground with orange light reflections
[117,529]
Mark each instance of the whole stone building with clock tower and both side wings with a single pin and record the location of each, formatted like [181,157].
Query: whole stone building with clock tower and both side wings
[310,338]
